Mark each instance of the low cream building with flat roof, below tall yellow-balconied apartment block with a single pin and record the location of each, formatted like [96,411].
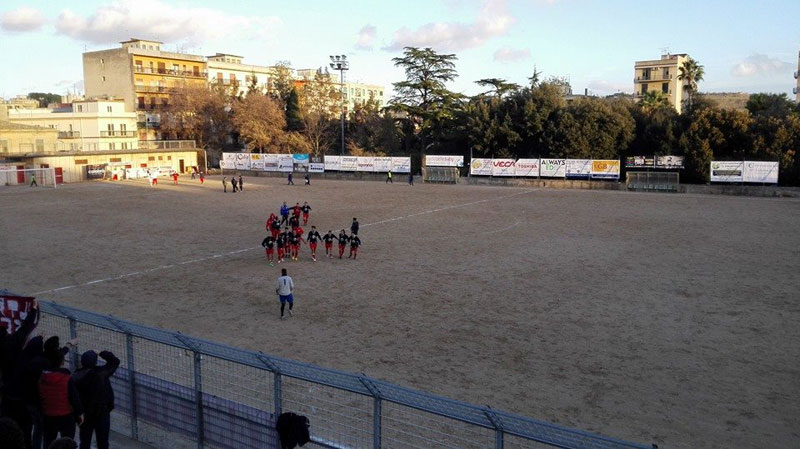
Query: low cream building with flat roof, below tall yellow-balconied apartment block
[88,125]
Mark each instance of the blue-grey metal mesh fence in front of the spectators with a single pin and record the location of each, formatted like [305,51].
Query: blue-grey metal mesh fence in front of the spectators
[173,390]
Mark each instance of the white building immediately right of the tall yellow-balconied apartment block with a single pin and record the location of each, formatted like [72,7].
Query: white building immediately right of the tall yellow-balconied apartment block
[228,70]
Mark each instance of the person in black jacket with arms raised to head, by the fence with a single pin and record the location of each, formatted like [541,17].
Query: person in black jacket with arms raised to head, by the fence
[96,395]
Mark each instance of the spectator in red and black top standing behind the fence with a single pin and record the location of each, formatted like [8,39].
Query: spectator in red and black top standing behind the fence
[61,405]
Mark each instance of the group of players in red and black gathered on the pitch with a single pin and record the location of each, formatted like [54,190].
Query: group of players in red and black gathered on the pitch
[286,234]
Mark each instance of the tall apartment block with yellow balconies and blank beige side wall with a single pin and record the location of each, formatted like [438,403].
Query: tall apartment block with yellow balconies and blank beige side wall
[144,77]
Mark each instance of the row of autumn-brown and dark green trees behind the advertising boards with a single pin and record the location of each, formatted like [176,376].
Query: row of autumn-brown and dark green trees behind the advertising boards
[508,120]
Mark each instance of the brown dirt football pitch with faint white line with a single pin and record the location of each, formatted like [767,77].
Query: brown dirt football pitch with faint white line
[668,319]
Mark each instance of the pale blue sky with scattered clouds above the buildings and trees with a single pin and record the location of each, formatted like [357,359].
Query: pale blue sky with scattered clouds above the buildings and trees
[745,46]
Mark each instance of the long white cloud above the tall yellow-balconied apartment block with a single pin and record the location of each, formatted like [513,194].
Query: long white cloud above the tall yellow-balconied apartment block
[154,19]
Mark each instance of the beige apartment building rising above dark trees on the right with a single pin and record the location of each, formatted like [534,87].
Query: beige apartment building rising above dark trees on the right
[661,75]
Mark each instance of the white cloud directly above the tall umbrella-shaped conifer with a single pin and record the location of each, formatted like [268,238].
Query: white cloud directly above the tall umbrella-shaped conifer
[493,20]
